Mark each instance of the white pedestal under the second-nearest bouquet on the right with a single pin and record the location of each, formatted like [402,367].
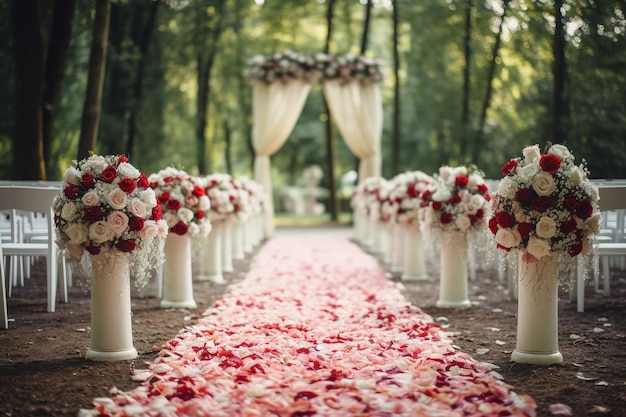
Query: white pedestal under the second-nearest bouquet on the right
[453,286]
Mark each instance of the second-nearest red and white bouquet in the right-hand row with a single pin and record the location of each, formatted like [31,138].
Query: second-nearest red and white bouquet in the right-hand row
[457,200]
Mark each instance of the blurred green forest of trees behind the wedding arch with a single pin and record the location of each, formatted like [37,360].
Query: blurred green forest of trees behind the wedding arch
[466,82]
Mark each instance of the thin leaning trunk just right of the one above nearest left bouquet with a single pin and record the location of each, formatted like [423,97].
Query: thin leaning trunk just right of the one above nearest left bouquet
[143,42]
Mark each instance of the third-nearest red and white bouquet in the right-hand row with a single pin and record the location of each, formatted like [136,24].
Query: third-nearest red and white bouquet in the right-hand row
[406,195]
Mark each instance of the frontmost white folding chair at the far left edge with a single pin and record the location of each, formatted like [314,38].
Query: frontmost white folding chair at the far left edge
[36,199]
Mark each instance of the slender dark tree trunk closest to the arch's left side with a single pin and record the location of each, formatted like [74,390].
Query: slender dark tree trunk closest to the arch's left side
[205,65]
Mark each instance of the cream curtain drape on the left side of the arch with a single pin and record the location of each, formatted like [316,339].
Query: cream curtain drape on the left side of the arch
[276,108]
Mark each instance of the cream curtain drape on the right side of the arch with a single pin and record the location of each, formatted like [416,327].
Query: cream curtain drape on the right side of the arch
[356,109]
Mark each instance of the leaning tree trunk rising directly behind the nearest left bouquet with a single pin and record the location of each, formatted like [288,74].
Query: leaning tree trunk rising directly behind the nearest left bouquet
[95,80]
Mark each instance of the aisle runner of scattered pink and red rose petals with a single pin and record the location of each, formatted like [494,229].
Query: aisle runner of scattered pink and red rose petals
[315,329]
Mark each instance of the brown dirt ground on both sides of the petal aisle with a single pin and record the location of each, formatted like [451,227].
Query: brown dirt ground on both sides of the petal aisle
[43,371]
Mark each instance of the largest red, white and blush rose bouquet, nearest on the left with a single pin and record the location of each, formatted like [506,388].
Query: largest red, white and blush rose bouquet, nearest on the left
[106,206]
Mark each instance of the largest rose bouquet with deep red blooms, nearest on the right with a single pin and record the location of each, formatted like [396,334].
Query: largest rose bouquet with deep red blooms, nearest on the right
[545,206]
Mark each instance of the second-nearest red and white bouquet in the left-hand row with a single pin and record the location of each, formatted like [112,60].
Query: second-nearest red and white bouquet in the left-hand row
[183,201]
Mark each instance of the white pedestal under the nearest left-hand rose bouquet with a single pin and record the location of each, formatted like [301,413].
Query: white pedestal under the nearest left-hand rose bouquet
[111,336]
